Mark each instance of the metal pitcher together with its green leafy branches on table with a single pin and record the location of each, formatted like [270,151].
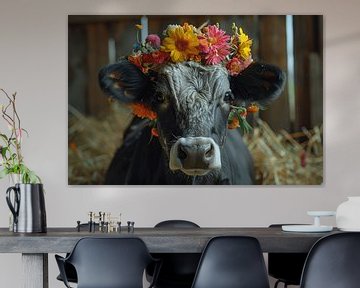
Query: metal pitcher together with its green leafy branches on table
[27,204]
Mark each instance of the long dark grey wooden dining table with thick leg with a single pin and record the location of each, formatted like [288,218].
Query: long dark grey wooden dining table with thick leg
[35,247]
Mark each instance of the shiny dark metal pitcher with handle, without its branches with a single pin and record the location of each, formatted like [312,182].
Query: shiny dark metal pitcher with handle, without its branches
[28,207]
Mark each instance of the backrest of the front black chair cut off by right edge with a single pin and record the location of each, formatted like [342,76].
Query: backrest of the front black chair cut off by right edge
[333,262]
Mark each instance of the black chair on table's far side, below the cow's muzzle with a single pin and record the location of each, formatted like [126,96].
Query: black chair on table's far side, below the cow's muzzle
[178,269]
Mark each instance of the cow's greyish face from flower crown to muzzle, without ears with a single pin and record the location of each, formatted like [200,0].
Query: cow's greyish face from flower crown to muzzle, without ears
[192,96]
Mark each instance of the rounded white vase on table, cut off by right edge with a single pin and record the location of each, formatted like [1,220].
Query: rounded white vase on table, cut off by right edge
[348,214]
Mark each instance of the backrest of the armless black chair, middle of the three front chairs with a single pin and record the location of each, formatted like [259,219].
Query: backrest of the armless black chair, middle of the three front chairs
[232,262]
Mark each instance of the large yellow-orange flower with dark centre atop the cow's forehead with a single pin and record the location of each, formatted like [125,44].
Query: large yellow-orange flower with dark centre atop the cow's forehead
[181,43]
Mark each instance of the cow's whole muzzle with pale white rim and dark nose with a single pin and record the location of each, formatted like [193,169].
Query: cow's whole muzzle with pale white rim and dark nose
[195,156]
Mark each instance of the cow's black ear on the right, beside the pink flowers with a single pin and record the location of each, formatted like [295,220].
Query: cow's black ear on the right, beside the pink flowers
[260,83]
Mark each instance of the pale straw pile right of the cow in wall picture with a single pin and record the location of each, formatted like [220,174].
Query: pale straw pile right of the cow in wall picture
[284,159]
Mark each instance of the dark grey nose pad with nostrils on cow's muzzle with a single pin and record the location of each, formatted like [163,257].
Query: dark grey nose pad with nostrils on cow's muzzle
[195,153]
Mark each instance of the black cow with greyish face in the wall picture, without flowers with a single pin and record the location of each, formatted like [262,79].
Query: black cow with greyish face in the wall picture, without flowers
[193,102]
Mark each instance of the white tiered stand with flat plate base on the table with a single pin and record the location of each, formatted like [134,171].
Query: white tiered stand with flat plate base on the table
[316,227]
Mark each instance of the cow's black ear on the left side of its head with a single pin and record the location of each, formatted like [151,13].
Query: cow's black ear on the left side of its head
[124,81]
